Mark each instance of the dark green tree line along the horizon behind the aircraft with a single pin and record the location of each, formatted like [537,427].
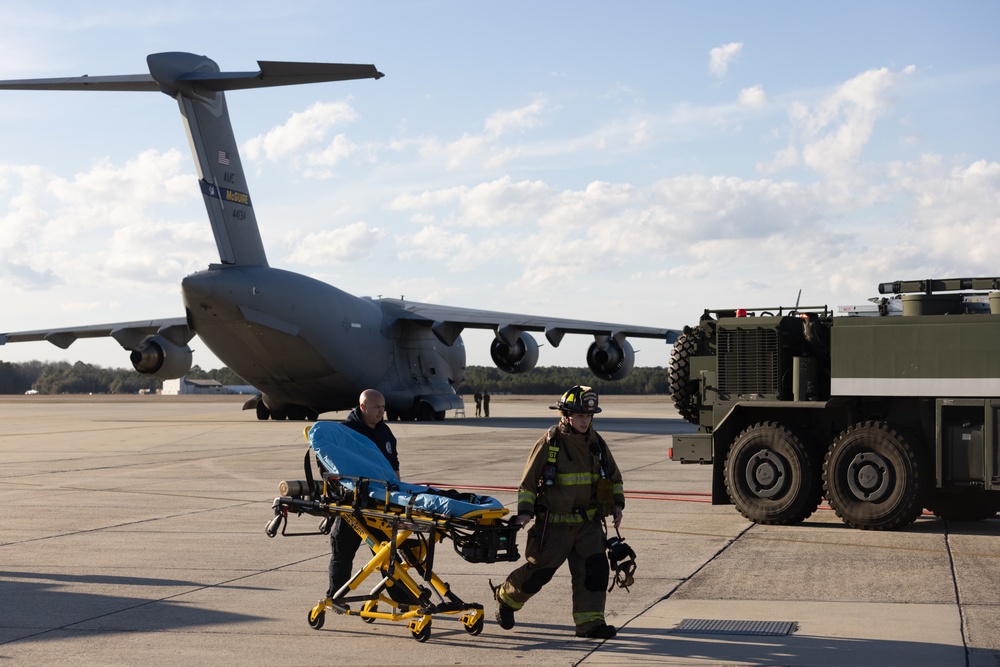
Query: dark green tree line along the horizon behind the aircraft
[79,378]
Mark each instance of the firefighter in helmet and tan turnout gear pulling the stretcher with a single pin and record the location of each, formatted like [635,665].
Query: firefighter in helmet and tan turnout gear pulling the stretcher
[570,483]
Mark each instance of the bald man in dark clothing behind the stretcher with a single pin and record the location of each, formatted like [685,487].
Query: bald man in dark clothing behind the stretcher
[366,419]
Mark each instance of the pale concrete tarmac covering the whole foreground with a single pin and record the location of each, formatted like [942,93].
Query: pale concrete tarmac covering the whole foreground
[133,534]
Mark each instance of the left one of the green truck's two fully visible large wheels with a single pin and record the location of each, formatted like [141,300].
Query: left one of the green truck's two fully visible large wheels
[770,475]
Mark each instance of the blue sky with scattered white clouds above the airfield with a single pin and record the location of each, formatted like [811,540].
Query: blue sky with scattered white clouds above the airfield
[636,162]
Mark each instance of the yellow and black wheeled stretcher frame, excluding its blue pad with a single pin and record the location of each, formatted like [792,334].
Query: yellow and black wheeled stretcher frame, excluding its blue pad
[403,544]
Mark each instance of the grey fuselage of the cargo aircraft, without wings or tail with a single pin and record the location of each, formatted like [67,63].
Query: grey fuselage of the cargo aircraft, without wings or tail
[303,342]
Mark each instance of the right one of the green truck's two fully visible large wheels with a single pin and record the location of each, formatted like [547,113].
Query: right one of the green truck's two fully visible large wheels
[873,477]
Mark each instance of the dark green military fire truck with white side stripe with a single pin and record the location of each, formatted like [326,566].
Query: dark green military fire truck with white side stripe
[883,409]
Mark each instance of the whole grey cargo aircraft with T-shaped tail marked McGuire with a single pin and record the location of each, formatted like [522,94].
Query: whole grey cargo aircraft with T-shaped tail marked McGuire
[306,346]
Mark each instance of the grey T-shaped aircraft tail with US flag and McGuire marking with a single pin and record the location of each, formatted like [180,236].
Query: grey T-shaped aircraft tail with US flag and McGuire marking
[197,84]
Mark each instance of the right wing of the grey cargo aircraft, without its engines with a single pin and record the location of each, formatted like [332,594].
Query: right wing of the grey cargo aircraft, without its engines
[447,323]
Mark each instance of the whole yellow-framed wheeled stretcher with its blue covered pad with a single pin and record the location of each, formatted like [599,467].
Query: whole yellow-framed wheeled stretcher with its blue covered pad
[401,523]
